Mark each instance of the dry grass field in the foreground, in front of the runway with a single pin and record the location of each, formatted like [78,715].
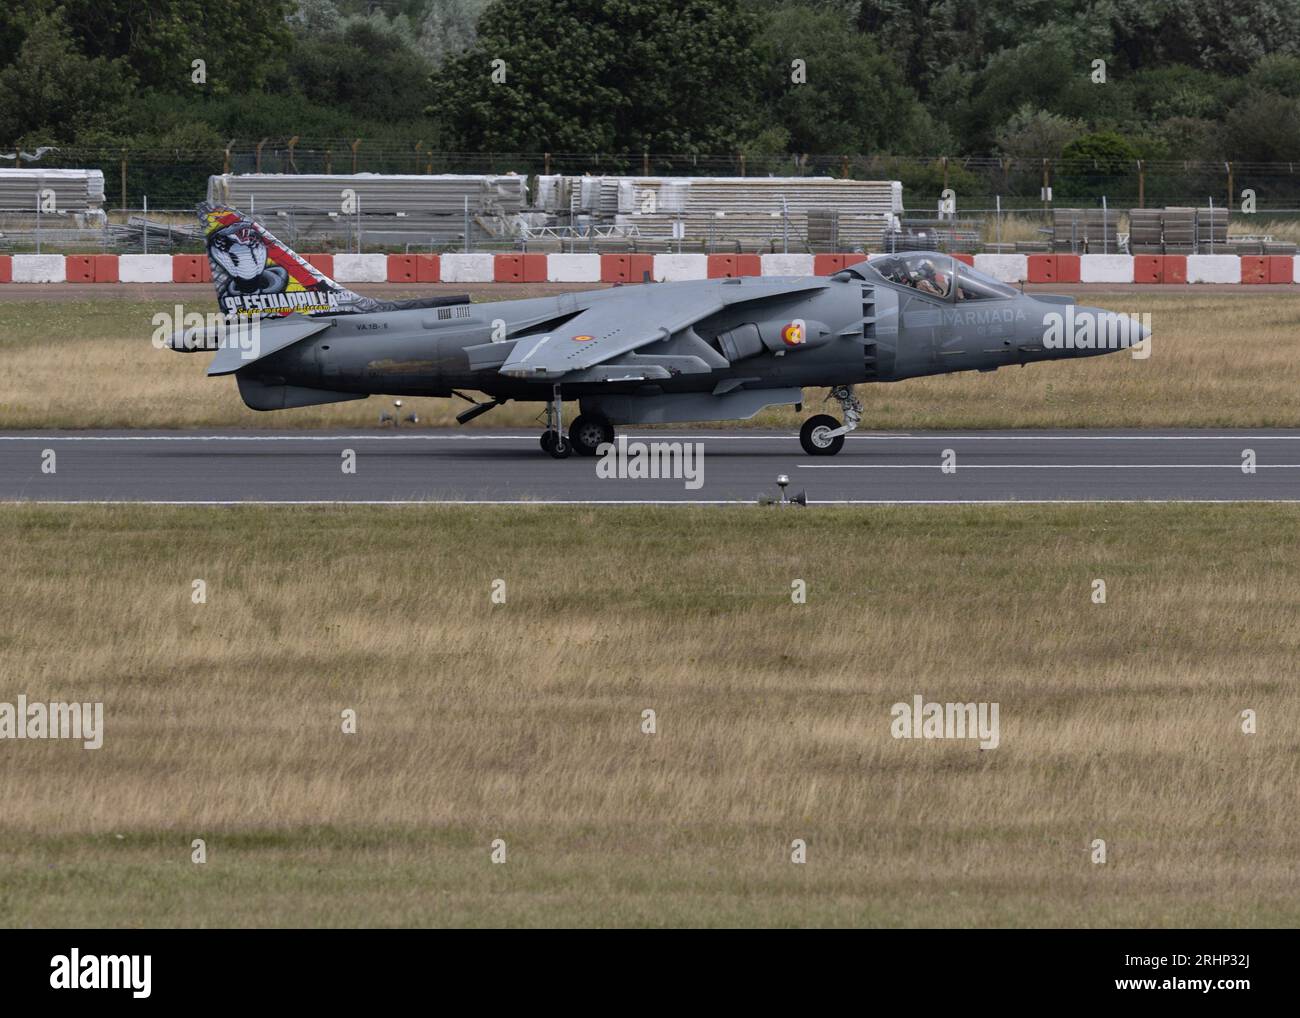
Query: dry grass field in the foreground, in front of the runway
[523,721]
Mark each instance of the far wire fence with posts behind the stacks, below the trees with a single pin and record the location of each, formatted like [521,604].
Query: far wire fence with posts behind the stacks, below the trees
[176,179]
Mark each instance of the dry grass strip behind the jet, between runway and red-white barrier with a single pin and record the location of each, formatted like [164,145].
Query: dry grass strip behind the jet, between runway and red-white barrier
[1219,359]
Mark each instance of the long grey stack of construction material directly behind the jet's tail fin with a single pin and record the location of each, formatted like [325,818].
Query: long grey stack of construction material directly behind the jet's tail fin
[378,211]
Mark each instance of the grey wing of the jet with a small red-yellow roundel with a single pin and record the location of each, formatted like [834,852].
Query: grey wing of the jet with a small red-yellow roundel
[644,315]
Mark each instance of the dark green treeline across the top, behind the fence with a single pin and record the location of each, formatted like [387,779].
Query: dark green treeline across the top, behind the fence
[1110,81]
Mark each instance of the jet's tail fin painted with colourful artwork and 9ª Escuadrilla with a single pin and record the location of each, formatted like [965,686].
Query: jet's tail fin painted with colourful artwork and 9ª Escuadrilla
[255,275]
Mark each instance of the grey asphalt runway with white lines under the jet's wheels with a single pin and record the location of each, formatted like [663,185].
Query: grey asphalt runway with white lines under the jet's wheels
[735,466]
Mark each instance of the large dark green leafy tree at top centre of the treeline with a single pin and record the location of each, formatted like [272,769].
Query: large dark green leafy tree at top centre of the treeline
[613,76]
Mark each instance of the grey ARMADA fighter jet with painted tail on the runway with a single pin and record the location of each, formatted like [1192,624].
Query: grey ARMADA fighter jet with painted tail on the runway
[704,350]
